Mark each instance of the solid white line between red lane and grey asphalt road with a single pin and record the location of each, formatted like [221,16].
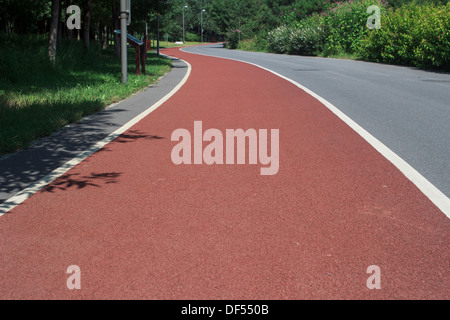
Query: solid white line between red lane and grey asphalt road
[435,195]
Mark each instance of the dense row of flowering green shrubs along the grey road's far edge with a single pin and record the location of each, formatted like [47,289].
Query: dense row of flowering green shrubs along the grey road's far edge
[413,34]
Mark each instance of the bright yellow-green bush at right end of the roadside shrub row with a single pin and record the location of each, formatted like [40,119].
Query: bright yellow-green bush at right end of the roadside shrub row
[417,35]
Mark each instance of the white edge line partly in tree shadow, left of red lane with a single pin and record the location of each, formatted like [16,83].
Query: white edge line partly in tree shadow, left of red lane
[20,197]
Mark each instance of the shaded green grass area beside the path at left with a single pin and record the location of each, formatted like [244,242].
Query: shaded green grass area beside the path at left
[37,99]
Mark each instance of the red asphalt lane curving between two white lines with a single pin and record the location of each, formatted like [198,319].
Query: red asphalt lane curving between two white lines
[140,227]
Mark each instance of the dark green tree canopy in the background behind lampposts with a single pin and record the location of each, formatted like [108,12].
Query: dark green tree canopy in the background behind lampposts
[220,16]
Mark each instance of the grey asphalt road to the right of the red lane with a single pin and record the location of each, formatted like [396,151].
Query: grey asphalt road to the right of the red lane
[407,109]
